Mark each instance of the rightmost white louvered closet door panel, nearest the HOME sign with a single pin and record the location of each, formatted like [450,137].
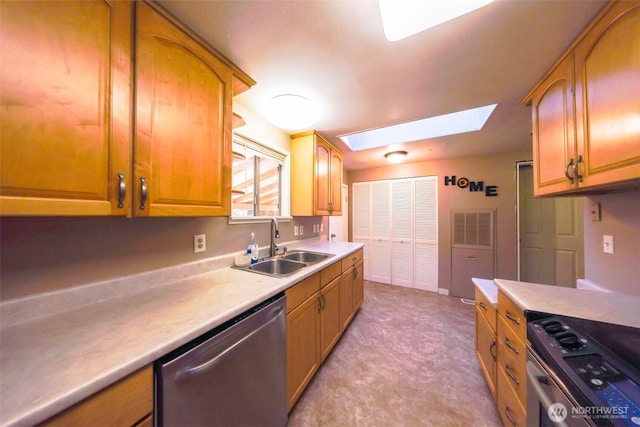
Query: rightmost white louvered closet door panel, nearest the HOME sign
[426,233]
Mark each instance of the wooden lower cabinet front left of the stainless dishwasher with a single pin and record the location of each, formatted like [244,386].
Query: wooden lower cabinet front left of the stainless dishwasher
[121,404]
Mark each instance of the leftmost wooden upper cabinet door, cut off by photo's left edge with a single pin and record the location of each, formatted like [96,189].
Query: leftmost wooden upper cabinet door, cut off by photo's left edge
[65,115]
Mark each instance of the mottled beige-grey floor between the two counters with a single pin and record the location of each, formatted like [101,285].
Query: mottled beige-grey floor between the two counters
[407,359]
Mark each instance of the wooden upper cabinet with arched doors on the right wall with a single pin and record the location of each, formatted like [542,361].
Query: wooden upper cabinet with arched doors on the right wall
[585,110]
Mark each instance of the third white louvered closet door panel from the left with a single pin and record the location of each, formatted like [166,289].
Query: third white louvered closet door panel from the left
[402,259]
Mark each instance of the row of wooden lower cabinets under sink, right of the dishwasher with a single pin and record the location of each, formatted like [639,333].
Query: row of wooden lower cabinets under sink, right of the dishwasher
[319,308]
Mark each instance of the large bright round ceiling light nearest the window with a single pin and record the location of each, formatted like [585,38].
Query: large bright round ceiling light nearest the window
[291,112]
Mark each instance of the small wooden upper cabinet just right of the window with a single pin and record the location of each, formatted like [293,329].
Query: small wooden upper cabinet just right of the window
[316,176]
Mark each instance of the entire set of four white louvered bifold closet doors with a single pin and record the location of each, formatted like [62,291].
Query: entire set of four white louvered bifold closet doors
[398,222]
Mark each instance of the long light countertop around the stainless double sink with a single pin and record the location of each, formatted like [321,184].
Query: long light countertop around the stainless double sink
[60,348]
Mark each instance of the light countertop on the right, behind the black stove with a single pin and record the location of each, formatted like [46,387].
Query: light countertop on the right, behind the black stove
[608,307]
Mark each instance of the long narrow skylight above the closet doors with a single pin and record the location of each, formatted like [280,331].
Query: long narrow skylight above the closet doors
[431,127]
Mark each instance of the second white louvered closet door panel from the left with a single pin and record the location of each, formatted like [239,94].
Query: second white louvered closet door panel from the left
[380,223]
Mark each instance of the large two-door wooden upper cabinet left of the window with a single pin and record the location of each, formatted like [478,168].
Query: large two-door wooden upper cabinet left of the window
[69,140]
